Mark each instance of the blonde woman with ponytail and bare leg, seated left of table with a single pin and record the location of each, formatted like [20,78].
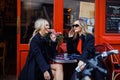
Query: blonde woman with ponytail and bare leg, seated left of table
[38,65]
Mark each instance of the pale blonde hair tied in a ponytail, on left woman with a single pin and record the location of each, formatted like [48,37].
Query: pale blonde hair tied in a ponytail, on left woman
[39,24]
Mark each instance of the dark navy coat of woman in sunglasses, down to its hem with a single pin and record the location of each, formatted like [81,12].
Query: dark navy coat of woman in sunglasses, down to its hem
[88,52]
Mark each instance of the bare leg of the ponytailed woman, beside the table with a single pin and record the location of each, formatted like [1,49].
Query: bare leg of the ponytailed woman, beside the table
[57,71]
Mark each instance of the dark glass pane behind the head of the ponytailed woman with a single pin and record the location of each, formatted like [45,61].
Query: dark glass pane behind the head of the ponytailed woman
[32,10]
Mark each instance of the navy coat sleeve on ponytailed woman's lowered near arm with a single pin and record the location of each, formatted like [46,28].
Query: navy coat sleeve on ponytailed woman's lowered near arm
[36,52]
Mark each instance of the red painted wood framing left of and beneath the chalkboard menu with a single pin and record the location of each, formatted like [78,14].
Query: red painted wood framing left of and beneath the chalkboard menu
[100,24]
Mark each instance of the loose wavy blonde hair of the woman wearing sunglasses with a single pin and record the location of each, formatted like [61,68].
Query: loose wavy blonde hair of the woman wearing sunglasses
[84,27]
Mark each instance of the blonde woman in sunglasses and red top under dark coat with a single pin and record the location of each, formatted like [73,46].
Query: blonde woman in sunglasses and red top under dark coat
[81,41]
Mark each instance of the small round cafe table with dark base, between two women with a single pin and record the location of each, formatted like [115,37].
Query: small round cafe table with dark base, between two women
[69,64]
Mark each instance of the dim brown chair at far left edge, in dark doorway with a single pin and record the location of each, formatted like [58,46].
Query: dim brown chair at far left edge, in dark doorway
[2,55]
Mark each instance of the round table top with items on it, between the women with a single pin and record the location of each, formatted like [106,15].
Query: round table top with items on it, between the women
[62,59]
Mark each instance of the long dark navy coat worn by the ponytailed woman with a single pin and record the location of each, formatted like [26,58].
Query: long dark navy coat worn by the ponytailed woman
[38,58]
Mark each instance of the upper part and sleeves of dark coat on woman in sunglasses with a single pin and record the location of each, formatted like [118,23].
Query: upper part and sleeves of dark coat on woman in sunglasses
[88,48]
